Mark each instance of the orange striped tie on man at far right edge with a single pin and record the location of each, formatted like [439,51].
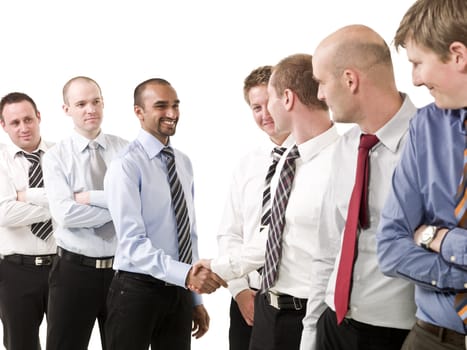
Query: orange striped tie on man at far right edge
[460,211]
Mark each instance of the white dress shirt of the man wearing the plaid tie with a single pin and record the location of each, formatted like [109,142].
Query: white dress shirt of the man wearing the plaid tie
[299,246]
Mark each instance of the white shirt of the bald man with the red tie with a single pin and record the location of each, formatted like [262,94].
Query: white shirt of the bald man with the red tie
[375,299]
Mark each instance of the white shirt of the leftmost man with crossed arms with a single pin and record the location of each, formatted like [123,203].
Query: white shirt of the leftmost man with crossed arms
[16,217]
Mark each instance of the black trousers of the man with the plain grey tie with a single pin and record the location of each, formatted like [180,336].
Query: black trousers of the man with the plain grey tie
[77,297]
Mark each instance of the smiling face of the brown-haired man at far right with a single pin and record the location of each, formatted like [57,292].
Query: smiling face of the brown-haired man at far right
[443,79]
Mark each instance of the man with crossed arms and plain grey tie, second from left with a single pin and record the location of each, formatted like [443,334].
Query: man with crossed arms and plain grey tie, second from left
[85,236]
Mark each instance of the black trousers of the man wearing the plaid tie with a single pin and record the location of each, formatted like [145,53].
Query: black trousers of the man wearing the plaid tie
[275,329]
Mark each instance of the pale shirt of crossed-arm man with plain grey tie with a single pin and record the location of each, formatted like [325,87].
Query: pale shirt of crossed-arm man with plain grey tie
[66,170]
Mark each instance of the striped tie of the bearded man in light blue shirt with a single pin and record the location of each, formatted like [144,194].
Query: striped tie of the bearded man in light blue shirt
[180,208]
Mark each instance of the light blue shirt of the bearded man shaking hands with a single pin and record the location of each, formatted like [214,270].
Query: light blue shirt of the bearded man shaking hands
[140,204]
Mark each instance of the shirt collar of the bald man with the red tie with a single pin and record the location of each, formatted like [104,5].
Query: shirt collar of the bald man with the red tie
[392,132]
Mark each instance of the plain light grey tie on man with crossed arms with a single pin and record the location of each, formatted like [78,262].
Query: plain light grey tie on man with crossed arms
[98,169]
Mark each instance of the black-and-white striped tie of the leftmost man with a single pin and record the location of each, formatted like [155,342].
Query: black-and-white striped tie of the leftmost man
[42,230]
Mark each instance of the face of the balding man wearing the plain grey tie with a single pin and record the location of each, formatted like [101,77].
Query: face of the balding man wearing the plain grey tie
[85,105]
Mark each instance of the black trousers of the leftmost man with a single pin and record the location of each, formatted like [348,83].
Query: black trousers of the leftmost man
[23,303]
